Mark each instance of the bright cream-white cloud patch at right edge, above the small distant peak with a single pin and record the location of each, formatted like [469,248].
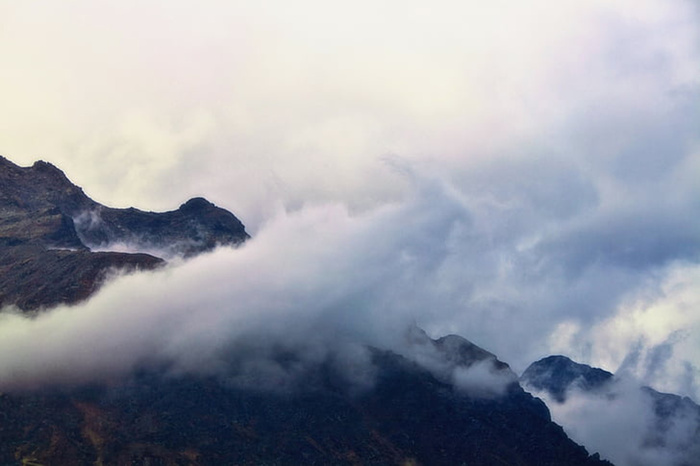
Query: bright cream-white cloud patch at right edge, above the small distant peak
[651,335]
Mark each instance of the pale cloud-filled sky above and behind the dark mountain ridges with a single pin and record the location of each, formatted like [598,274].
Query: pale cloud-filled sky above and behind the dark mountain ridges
[524,174]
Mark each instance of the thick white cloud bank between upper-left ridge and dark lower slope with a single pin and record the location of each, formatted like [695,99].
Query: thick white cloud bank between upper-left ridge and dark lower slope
[310,283]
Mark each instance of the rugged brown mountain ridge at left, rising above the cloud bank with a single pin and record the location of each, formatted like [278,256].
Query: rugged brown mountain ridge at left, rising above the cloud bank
[52,234]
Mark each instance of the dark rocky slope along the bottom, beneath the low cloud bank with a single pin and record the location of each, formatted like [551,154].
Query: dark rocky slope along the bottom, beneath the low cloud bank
[409,416]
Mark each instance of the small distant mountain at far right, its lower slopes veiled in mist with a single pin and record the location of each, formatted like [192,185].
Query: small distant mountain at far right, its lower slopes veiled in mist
[666,427]
